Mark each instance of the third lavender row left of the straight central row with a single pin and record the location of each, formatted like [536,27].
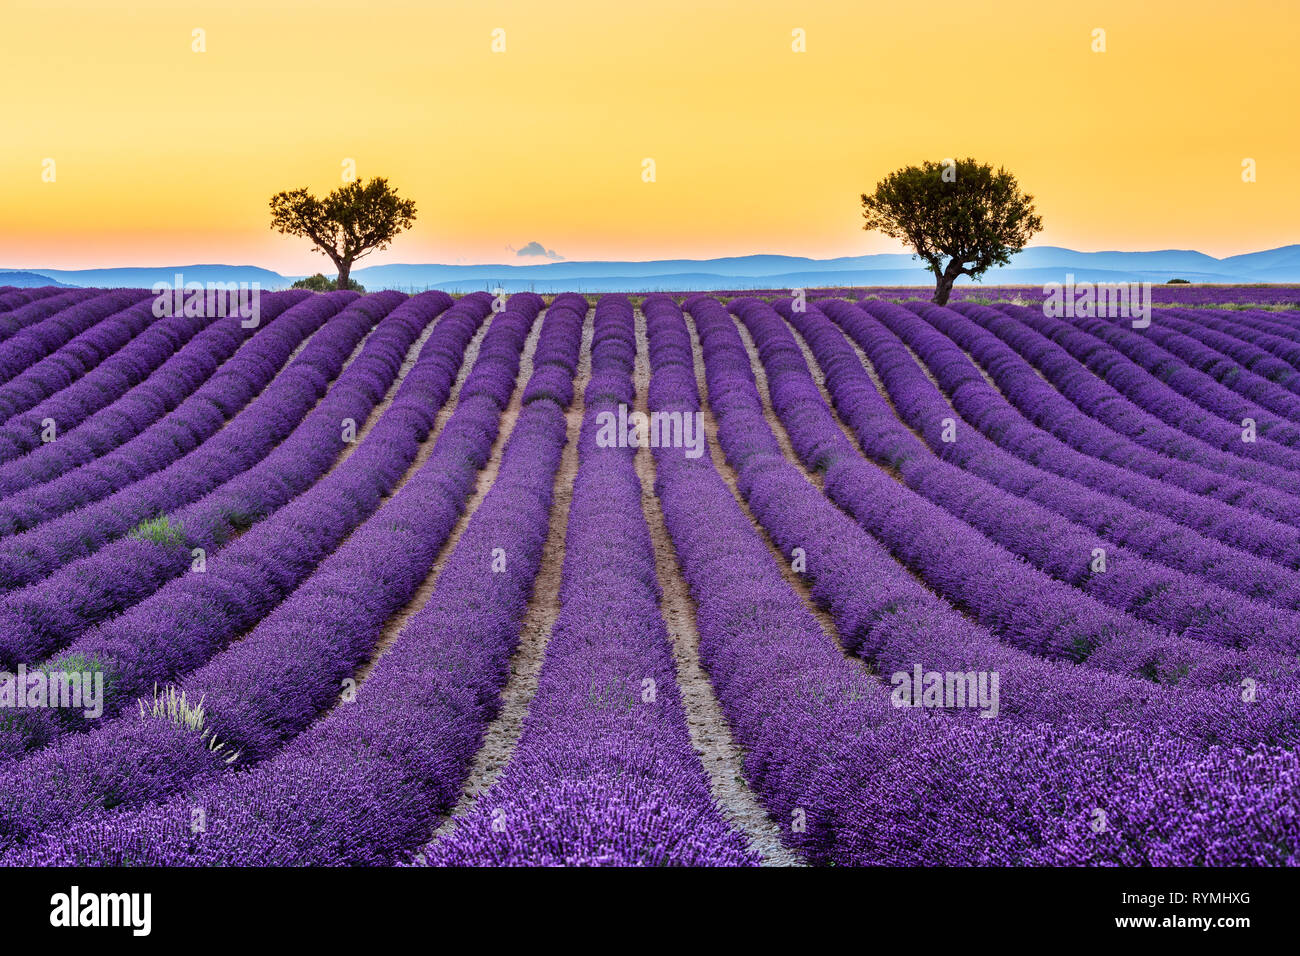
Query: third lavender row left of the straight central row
[193,617]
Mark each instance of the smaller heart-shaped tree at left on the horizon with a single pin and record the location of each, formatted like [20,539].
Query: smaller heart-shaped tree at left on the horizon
[350,223]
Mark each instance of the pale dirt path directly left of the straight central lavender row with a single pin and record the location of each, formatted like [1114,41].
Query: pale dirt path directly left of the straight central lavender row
[544,608]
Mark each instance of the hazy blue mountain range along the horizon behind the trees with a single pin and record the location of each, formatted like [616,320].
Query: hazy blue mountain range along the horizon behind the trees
[1035,266]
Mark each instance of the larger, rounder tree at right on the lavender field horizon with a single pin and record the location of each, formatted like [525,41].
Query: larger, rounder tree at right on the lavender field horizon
[961,218]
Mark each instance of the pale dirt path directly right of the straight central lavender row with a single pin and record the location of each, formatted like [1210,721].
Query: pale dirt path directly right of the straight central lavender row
[710,734]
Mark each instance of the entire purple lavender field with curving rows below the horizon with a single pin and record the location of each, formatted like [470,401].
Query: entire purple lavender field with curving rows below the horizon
[701,579]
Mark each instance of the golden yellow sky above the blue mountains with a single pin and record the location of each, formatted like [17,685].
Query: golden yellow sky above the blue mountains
[163,155]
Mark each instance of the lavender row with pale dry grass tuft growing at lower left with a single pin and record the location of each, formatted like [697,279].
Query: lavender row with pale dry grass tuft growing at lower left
[304,651]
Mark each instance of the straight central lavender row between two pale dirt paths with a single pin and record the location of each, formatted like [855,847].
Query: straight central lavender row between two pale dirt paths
[604,772]
